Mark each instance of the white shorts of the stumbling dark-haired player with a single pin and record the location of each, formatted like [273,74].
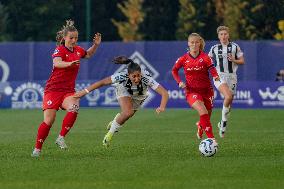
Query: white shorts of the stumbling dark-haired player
[136,101]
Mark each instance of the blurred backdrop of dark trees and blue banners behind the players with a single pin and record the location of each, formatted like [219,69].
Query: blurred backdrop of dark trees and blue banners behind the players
[153,32]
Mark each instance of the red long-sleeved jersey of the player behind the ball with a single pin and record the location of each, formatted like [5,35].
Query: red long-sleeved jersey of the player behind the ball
[196,71]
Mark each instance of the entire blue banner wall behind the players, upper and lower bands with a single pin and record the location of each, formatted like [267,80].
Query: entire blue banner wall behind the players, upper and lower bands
[23,73]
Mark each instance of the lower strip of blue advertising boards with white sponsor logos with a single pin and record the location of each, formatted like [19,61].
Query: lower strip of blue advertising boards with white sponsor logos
[29,95]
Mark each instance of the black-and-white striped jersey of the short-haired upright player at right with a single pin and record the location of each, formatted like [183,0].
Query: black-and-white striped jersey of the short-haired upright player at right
[219,54]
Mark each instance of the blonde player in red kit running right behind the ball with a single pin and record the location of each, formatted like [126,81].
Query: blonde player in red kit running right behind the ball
[198,87]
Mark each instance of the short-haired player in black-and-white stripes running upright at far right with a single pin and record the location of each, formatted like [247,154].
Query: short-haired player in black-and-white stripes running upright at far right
[227,56]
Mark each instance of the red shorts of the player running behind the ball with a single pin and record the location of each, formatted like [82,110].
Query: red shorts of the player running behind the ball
[206,98]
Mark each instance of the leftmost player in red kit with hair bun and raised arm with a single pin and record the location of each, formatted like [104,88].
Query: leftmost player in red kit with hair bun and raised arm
[60,87]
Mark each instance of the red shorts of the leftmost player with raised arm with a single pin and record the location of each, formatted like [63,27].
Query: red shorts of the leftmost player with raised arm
[54,100]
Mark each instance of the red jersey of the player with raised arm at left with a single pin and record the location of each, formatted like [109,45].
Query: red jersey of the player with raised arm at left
[63,79]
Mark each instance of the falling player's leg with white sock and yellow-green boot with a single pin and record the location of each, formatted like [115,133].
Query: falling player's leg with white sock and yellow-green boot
[127,111]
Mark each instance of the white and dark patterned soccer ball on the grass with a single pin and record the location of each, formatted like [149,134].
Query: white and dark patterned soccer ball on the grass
[208,147]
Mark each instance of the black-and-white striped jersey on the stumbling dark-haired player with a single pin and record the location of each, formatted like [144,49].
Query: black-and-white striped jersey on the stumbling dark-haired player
[122,79]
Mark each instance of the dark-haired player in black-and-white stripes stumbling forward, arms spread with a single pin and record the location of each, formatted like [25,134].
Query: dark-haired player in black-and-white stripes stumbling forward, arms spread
[131,91]
